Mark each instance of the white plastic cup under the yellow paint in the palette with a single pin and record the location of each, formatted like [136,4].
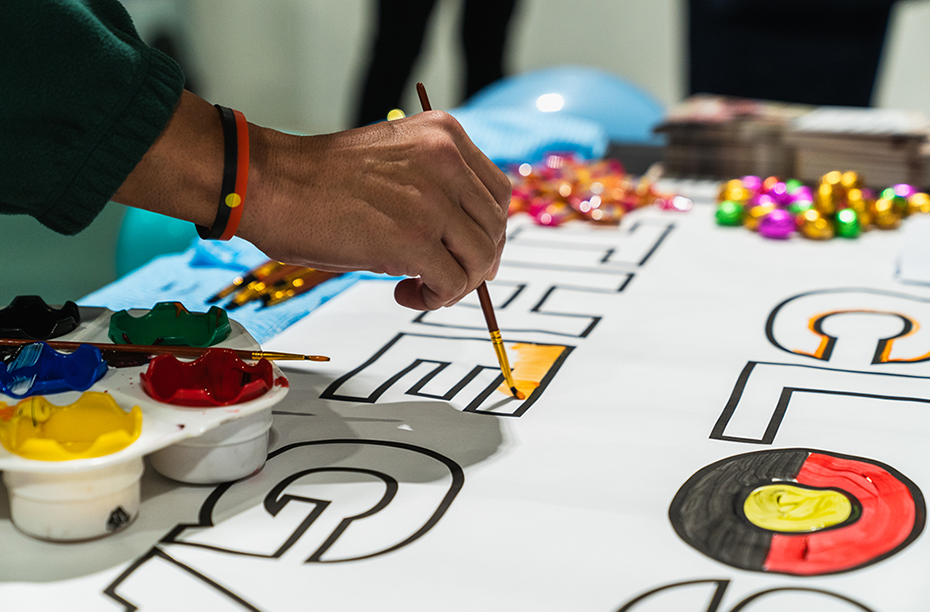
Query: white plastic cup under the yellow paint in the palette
[72,506]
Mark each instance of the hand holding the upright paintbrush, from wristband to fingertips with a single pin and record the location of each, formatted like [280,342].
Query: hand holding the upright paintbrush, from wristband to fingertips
[413,197]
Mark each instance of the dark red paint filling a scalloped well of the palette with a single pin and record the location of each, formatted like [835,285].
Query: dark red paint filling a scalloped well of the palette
[217,378]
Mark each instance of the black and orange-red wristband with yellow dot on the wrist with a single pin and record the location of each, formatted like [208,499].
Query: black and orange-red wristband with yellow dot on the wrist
[235,176]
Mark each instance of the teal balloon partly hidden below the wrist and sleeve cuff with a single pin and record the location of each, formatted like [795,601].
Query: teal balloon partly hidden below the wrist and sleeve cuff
[145,235]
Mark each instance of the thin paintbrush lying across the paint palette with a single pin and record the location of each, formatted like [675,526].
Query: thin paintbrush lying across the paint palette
[135,354]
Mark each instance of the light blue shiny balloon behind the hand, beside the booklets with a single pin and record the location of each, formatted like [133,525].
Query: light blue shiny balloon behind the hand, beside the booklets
[627,113]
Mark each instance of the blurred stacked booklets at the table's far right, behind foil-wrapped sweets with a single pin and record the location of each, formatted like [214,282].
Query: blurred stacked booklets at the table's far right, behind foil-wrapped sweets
[720,137]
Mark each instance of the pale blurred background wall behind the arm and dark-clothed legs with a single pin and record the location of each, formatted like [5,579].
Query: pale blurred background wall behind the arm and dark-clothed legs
[297,65]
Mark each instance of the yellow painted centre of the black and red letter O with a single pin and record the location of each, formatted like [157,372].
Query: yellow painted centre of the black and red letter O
[788,508]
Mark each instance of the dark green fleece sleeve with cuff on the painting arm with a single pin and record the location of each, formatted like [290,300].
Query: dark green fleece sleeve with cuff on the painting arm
[82,99]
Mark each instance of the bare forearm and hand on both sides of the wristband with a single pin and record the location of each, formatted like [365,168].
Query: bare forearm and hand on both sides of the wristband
[409,198]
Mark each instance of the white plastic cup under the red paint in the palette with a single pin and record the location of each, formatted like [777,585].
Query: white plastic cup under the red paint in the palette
[232,451]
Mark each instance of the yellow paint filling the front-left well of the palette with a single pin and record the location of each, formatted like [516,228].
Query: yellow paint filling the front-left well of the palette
[93,426]
